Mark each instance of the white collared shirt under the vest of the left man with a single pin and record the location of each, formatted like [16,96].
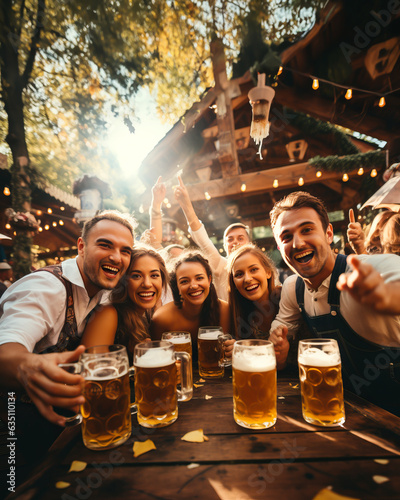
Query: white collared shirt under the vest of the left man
[32,310]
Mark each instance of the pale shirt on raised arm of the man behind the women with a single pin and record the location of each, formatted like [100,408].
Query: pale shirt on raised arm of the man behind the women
[217,262]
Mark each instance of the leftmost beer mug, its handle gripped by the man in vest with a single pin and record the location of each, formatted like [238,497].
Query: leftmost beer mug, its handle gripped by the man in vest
[106,412]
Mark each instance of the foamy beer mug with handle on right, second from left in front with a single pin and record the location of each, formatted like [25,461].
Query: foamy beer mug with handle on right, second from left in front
[156,392]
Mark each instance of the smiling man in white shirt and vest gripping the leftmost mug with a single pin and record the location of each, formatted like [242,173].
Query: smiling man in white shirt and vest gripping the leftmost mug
[44,314]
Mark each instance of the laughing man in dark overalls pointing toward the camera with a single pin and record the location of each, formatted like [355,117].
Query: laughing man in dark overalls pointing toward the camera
[353,300]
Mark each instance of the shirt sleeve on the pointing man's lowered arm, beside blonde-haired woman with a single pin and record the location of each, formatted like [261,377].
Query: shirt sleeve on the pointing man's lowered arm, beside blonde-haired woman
[289,314]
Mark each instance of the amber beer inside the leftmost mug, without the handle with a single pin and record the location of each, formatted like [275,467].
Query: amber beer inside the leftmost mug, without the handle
[106,416]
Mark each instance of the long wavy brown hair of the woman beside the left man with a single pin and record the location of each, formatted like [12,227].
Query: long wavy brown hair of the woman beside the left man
[132,326]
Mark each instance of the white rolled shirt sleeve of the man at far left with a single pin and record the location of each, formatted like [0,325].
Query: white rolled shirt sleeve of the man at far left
[32,308]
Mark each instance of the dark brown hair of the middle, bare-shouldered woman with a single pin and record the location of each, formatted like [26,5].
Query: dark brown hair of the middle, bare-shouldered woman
[210,310]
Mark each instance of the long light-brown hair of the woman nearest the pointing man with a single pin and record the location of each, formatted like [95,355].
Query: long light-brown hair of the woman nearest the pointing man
[244,312]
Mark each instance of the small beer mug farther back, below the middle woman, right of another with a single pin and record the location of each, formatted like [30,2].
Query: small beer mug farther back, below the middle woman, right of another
[211,353]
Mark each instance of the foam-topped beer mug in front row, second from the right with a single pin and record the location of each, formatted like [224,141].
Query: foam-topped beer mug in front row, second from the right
[254,383]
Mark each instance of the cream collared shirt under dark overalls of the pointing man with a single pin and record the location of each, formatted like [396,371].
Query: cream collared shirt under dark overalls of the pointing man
[383,329]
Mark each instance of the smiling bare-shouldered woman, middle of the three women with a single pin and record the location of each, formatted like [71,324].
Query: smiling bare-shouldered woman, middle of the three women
[195,300]
